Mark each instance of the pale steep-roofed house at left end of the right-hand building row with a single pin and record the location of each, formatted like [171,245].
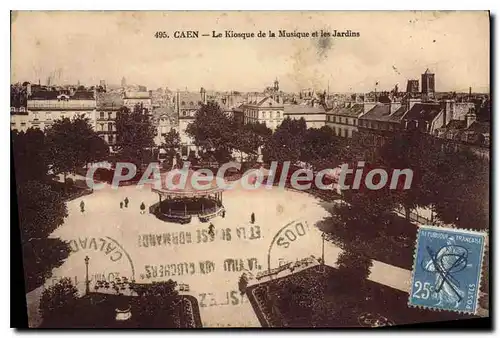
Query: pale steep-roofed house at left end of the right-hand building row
[343,119]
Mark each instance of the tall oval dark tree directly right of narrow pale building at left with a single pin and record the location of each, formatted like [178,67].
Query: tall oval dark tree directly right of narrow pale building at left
[135,133]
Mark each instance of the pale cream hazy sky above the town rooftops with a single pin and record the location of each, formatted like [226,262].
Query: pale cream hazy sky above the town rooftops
[392,47]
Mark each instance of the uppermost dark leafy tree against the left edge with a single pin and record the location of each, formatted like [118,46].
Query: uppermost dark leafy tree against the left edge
[29,155]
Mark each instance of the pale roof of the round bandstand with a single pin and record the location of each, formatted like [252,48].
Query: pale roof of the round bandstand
[173,185]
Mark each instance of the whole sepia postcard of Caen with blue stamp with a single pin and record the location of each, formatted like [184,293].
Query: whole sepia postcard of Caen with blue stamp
[252,169]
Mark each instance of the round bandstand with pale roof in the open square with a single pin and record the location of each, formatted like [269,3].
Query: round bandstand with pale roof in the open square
[180,202]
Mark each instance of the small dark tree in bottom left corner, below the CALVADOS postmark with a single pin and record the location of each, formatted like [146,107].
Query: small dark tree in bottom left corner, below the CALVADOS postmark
[58,303]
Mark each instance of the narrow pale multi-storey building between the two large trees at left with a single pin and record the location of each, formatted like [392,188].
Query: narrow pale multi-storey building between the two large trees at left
[108,105]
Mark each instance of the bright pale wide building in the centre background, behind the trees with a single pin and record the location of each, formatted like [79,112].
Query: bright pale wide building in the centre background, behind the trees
[263,110]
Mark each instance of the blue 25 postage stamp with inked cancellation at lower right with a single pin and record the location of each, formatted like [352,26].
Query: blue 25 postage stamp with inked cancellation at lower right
[447,269]
